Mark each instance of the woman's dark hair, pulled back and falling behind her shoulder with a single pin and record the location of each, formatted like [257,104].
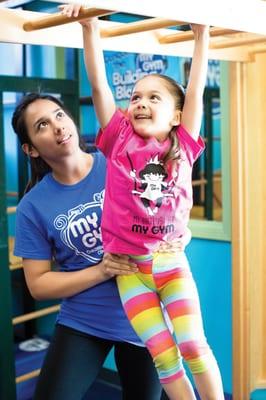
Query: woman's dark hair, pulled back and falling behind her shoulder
[38,167]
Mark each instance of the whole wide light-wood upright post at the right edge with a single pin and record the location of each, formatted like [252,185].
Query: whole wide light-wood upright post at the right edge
[247,99]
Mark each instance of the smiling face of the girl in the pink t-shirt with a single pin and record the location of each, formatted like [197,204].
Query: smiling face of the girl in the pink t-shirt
[152,109]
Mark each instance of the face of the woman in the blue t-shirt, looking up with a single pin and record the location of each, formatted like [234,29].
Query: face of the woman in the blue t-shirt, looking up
[52,132]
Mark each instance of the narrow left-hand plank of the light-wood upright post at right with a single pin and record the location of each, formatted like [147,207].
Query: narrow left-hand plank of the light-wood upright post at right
[240,243]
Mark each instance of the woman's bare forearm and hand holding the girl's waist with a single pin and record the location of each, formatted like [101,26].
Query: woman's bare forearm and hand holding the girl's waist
[43,283]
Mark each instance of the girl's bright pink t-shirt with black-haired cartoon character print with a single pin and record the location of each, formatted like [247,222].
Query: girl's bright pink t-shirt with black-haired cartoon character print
[145,201]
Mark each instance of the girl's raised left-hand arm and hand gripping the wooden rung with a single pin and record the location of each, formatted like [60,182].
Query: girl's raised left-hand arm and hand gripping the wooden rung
[102,96]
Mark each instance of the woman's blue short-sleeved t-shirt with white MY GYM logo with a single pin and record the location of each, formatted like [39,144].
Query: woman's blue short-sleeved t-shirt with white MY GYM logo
[62,222]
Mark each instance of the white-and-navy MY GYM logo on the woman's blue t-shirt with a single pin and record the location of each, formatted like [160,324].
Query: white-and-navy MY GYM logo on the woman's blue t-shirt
[80,228]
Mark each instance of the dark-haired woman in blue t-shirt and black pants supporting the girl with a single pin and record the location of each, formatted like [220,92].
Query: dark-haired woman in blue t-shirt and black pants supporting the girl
[58,222]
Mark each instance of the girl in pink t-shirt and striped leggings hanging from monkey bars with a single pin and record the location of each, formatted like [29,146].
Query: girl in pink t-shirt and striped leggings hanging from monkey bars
[150,152]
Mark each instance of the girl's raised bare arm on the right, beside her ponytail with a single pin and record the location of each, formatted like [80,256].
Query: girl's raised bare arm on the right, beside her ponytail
[193,107]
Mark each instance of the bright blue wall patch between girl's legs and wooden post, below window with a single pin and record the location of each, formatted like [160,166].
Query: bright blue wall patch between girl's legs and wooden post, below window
[211,266]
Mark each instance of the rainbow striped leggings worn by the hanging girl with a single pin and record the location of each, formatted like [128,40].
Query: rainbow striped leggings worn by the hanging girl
[165,278]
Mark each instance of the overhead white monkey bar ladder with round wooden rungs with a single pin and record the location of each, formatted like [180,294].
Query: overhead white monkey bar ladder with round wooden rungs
[238,28]
